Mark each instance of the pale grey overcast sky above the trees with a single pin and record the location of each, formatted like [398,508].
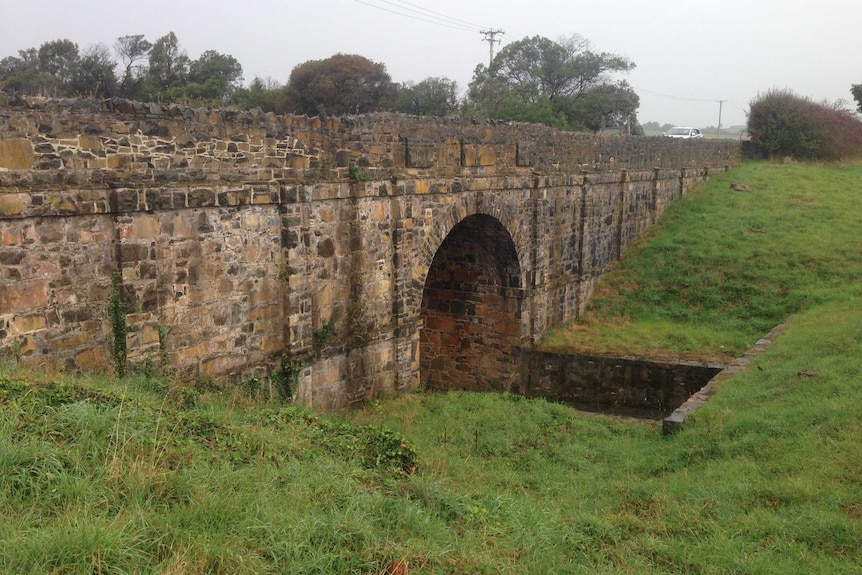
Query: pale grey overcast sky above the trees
[689,53]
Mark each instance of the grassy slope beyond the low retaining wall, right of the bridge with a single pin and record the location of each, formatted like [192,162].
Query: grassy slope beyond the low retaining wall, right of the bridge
[724,267]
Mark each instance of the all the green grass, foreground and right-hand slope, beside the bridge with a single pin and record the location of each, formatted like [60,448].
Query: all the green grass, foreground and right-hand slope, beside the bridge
[146,476]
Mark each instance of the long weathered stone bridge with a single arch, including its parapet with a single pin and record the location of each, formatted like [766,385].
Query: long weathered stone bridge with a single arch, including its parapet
[374,253]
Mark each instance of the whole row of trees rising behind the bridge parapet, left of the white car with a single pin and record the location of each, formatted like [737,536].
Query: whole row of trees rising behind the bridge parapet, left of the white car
[564,83]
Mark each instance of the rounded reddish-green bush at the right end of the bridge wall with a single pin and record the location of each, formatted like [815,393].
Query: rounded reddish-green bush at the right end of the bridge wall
[783,124]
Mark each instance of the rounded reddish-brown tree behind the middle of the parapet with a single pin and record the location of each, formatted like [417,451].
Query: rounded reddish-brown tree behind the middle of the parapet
[340,84]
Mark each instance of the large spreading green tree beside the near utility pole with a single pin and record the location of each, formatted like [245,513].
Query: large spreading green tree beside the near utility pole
[564,84]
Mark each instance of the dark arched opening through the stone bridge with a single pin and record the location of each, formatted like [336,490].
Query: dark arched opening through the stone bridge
[471,310]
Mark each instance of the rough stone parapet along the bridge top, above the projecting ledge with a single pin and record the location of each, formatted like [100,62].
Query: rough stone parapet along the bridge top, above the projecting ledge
[121,143]
